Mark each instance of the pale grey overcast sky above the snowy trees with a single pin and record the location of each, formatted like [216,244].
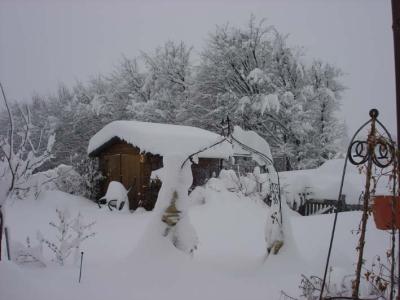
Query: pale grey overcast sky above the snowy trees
[43,43]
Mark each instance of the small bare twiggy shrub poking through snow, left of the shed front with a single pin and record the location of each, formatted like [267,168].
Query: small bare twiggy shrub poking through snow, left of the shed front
[71,233]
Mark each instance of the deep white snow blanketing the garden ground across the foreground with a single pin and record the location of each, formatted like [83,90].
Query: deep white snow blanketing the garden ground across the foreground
[122,261]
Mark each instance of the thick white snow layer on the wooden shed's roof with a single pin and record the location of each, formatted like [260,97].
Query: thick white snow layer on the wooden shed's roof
[162,139]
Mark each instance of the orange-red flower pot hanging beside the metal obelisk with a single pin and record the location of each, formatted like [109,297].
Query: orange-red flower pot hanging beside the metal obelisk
[382,212]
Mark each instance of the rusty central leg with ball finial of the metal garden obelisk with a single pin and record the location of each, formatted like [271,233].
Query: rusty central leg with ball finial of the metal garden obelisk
[371,148]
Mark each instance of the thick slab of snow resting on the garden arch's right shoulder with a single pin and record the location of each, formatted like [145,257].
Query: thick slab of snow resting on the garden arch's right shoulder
[252,140]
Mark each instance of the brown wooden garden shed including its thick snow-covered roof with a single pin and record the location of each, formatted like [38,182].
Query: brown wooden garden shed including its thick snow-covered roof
[129,151]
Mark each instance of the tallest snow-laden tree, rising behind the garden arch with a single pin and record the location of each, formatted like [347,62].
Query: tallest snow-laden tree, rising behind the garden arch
[251,74]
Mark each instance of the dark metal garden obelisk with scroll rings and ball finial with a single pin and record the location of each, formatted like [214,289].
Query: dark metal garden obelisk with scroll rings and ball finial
[378,150]
